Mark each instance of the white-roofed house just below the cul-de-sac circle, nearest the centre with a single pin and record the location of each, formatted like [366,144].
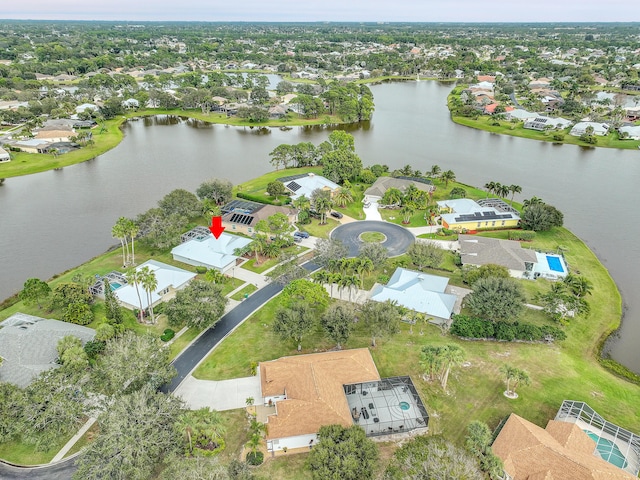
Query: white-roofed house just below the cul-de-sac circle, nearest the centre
[417,291]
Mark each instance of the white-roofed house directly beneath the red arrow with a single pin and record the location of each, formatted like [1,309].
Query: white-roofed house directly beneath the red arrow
[209,252]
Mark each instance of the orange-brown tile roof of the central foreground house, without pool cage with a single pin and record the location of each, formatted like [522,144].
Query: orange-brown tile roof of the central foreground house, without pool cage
[313,385]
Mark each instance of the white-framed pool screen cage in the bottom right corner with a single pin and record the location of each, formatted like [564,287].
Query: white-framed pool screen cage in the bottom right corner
[588,419]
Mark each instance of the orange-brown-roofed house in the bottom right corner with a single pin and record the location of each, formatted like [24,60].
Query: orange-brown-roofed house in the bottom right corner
[561,451]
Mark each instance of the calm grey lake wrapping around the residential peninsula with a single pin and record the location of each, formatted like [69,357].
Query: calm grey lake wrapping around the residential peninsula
[52,221]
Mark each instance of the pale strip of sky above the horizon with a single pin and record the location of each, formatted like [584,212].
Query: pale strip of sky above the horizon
[327,10]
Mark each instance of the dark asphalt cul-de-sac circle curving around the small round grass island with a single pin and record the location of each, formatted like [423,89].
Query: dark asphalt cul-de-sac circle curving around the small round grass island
[398,240]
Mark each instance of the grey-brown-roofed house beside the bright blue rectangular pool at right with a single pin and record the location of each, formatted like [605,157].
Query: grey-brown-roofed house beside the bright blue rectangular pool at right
[478,251]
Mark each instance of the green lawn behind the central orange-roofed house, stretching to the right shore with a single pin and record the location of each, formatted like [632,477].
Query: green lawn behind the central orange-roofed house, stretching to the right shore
[568,370]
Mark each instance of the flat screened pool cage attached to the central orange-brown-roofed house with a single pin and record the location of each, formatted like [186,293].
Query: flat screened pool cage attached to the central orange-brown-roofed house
[391,405]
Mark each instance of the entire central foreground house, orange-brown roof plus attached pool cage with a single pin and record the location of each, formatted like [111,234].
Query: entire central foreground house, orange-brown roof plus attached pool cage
[341,387]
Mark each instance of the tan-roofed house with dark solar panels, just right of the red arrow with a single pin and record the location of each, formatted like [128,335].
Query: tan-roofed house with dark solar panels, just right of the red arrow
[241,216]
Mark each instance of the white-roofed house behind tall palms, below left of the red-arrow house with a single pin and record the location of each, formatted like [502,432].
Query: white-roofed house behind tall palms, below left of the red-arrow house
[169,279]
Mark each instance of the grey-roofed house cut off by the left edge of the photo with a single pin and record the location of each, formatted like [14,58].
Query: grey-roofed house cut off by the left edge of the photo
[28,346]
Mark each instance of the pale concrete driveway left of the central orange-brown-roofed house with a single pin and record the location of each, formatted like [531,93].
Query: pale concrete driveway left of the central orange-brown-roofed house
[221,395]
